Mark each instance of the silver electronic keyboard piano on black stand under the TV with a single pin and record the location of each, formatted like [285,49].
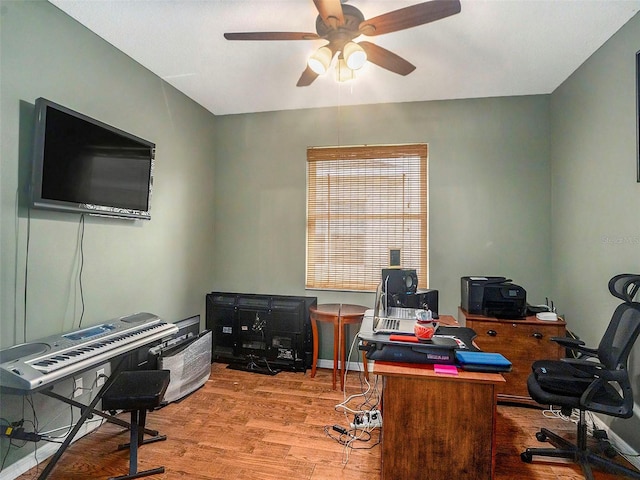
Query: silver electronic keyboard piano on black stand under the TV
[34,365]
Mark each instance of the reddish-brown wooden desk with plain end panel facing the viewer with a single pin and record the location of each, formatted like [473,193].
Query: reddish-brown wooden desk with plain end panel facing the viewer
[436,426]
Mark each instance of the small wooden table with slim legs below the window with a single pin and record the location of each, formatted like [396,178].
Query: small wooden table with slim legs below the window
[340,315]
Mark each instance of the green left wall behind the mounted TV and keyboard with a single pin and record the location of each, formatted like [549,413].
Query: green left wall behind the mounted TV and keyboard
[163,266]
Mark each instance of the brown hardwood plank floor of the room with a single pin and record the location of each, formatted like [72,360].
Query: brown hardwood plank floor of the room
[247,426]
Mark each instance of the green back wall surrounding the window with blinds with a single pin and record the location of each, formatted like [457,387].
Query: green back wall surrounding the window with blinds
[489,192]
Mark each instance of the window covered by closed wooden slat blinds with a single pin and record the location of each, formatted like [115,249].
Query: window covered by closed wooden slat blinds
[362,202]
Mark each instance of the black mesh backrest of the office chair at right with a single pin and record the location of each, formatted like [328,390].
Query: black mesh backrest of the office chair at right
[620,336]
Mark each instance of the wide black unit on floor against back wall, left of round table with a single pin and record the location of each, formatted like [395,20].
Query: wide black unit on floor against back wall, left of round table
[275,328]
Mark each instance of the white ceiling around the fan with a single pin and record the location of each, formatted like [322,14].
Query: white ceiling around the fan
[491,48]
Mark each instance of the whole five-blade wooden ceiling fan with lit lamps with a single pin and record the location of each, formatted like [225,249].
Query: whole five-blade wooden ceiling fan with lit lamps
[340,23]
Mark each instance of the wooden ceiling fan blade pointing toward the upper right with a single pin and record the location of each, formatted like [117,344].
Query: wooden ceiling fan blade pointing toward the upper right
[410,17]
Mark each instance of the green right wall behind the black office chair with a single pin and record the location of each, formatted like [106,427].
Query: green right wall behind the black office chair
[595,196]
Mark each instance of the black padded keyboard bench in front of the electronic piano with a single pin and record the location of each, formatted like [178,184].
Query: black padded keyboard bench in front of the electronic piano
[137,391]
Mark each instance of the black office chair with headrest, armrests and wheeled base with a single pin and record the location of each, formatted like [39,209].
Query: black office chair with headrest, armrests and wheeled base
[597,381]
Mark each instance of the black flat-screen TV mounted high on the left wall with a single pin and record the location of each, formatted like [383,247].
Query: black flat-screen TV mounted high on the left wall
[86,166]
